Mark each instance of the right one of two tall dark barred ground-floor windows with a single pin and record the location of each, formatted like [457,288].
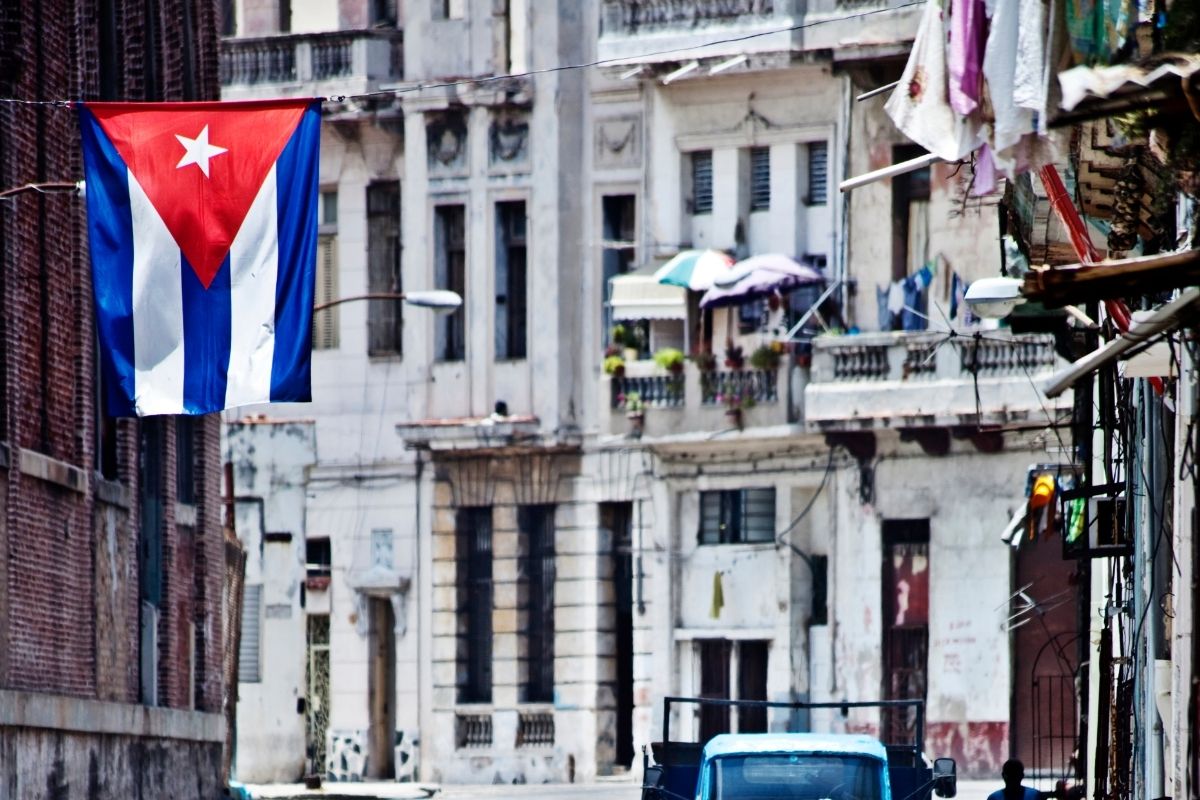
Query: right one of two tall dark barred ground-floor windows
[537,580]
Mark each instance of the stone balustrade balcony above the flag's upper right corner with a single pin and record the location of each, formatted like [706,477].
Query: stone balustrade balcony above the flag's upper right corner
[297,65]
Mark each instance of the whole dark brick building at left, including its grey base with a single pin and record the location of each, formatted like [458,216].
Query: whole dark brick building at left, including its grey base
[112,556]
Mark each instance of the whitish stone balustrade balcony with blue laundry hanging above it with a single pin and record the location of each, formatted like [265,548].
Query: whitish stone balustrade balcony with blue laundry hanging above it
[932,380]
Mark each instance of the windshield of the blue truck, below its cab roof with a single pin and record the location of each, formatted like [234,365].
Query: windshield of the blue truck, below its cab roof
[795,777]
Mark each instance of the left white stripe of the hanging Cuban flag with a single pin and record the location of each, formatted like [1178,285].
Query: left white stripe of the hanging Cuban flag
[158,311]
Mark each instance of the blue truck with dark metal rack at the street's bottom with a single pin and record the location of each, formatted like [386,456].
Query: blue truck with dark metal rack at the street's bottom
[795,766]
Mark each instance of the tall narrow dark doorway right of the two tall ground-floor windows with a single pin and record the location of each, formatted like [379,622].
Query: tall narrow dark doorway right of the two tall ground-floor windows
[617,519]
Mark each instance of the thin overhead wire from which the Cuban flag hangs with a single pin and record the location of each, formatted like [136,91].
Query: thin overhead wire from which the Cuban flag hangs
[401,89]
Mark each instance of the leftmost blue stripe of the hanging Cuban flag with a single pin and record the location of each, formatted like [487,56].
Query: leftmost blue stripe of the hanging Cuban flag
[111,243]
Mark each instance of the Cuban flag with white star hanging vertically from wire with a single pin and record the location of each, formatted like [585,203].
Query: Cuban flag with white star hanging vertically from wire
[202,224]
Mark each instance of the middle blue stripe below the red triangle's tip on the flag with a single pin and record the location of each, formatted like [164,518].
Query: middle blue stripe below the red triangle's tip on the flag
[207,339]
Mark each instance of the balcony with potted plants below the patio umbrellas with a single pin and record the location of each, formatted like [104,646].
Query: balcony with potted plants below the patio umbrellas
[695,401]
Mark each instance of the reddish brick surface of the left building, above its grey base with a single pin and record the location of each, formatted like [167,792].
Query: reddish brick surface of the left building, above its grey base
[70,558]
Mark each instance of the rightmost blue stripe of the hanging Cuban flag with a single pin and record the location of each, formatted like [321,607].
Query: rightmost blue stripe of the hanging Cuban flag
[297,197]
